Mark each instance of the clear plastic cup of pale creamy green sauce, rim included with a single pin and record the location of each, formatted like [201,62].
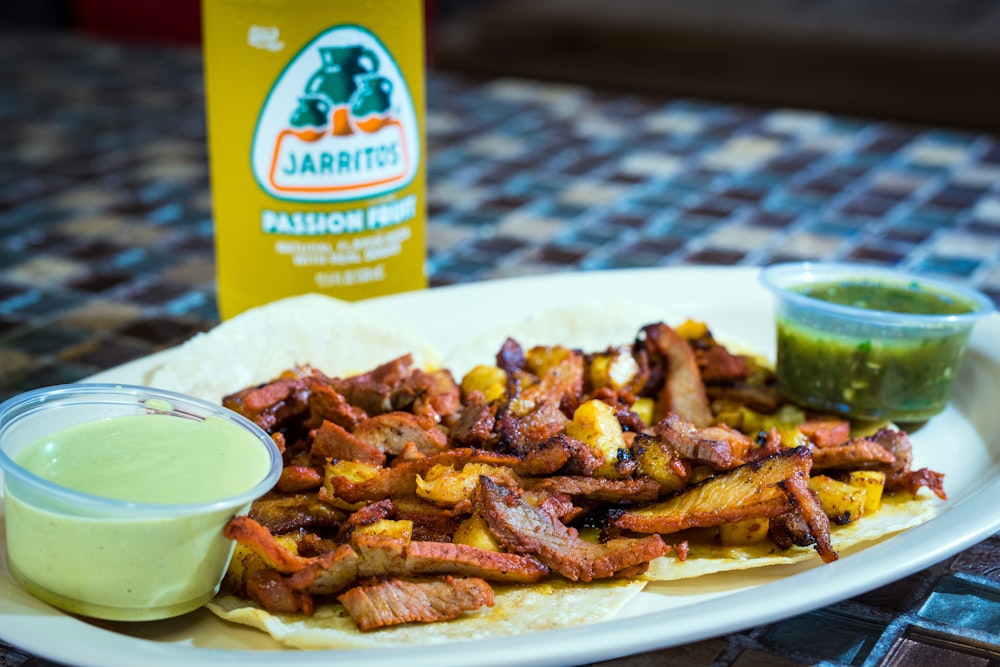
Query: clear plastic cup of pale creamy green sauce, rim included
[85,544]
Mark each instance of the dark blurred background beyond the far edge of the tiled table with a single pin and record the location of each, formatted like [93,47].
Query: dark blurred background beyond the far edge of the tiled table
[928,61]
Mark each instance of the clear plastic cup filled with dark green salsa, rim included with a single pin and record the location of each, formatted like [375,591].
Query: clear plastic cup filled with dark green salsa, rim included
[845,344]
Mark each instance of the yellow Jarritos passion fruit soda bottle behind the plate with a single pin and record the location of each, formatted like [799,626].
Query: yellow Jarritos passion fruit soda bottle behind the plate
[317,147]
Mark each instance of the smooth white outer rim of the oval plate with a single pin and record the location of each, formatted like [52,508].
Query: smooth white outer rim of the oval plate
[633,632]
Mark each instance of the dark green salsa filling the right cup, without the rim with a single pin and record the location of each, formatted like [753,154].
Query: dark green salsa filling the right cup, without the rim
[864,369]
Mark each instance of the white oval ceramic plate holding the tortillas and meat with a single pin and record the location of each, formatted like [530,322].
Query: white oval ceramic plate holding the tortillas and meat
[963,442]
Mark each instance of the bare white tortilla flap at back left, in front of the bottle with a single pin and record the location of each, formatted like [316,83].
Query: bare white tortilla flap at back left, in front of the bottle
[334,336]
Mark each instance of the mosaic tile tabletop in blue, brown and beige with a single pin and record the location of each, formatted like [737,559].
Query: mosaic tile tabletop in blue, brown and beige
[106,247]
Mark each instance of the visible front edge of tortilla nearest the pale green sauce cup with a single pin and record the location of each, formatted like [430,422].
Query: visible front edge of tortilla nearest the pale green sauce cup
[518,610]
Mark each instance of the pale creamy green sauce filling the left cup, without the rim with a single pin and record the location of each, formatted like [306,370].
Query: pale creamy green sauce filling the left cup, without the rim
[131,567]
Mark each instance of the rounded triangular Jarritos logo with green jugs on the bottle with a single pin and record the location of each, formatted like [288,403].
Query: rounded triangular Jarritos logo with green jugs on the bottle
[339,124]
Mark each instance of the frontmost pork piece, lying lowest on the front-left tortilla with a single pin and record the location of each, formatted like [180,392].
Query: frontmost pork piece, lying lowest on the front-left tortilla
[397,601]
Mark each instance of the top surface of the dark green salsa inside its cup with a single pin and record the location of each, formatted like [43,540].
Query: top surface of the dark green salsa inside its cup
[903,298]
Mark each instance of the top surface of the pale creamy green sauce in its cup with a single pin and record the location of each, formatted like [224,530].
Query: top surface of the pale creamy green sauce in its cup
[151,458]
